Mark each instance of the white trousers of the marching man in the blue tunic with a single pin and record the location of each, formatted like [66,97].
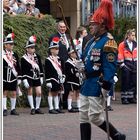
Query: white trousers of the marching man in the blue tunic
[91,110]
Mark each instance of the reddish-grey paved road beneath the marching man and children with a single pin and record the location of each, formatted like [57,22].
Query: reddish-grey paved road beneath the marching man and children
[66,126]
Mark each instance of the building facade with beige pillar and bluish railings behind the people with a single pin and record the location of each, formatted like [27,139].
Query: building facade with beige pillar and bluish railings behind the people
[78,11]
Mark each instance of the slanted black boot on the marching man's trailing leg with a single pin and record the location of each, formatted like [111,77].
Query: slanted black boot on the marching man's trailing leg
[114,134]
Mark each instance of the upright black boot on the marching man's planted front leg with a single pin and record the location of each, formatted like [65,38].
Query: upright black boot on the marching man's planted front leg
[85,130]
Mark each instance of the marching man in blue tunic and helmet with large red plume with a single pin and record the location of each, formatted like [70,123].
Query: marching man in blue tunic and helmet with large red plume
[100,59]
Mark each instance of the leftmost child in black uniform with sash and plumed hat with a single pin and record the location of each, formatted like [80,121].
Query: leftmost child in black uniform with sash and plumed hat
[11,74]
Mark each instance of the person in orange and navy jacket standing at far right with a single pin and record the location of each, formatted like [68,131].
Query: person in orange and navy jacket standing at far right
[127,60]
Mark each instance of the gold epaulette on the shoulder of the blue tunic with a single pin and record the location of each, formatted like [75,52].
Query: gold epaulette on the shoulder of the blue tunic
[110,46]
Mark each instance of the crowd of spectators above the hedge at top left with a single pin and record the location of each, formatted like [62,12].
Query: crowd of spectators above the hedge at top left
[26,7]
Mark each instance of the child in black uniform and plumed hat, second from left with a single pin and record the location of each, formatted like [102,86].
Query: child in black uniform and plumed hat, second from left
[32,74]
